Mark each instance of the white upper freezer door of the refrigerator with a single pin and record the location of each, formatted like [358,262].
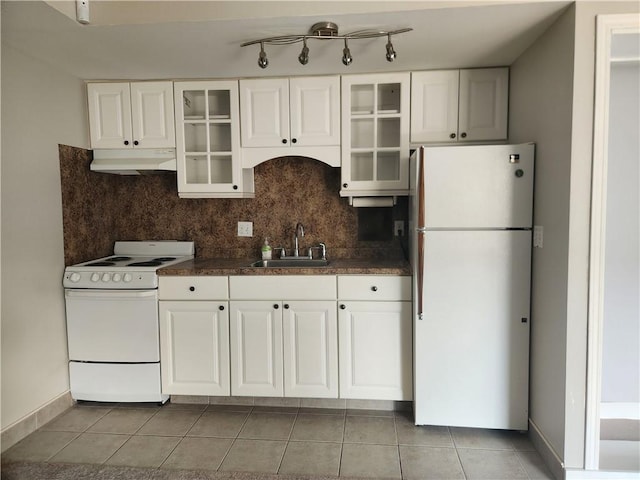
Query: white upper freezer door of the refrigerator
[478,187]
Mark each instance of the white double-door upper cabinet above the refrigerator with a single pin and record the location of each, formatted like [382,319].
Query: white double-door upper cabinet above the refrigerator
[459,105]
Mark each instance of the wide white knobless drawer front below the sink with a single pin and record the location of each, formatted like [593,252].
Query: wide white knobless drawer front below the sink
[283,287]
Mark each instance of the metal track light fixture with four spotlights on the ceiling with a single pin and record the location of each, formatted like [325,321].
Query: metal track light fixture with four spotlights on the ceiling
[325,31]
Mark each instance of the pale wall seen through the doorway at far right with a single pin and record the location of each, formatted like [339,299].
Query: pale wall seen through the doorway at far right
[621,342]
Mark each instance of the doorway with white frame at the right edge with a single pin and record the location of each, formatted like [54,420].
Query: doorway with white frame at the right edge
[613,398]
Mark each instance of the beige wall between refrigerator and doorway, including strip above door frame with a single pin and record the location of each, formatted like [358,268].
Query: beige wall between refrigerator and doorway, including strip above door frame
[551,103]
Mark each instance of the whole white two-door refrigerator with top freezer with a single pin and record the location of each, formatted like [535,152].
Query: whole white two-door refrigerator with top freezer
[471,214]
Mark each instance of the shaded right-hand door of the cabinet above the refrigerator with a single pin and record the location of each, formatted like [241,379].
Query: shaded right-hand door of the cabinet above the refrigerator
[483,104]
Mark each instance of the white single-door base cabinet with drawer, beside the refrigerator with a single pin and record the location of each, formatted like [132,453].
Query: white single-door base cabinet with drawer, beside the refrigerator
[375,346]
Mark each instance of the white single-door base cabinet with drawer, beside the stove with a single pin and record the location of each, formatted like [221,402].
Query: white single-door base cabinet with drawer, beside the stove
[194,335]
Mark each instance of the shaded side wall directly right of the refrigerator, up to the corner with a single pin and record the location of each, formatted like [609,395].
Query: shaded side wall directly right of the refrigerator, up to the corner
[540,111]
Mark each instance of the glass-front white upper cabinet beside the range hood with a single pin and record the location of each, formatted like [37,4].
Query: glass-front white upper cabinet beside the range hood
[208,141]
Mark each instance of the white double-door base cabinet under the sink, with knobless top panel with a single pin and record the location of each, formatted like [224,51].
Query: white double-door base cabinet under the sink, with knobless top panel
[284,347]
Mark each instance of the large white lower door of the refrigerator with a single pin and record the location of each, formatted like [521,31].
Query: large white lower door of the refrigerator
[472,345]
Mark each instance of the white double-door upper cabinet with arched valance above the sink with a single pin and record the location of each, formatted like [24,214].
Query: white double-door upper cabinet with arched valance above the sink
[290,117]
